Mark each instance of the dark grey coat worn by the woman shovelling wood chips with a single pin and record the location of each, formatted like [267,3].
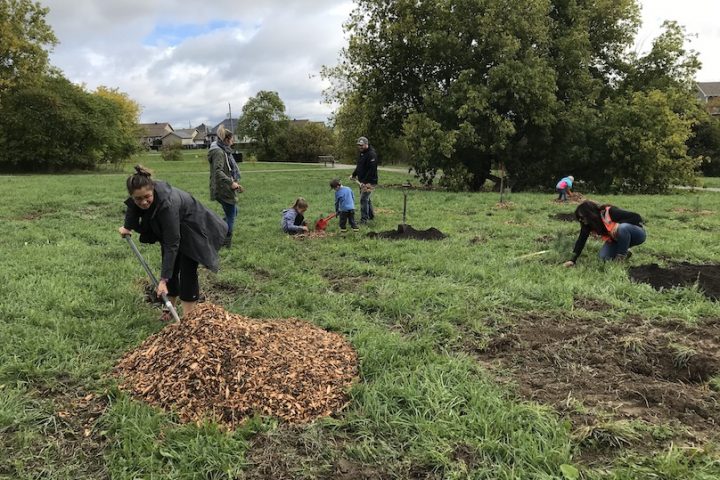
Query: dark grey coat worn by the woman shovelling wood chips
[181,224]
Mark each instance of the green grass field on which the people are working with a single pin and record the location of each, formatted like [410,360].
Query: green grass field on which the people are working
[438,397]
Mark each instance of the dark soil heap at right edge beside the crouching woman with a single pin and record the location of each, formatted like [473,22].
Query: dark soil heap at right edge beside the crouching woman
[684,274]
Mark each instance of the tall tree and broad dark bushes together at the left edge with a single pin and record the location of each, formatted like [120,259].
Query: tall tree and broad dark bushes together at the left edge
[47,123]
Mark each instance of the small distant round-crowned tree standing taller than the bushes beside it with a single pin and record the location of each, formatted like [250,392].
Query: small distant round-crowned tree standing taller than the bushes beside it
[263,119]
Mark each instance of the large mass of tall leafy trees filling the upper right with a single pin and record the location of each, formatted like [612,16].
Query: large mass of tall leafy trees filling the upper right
[543,87]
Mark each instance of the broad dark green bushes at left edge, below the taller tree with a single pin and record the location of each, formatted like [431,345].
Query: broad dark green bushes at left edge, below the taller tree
[54,125]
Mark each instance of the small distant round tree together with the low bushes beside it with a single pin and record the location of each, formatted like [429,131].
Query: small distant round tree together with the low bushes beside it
[276,137]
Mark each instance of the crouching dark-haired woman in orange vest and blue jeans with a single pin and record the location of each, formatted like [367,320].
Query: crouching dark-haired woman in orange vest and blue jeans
[620,229]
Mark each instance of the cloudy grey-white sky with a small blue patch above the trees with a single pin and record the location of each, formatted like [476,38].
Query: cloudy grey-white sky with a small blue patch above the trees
[185,61]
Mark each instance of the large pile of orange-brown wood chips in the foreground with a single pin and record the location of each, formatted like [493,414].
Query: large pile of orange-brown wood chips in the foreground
[228,367]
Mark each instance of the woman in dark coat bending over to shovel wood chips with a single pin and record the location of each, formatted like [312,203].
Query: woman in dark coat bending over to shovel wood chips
[189,234]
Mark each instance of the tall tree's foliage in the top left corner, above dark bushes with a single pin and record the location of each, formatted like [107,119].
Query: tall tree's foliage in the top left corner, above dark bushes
[24,39]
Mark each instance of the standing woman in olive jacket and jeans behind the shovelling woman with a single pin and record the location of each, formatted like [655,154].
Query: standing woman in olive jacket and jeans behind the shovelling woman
[224,178]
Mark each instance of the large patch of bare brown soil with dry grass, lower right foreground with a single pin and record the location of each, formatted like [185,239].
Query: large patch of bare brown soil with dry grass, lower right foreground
[592,371]
